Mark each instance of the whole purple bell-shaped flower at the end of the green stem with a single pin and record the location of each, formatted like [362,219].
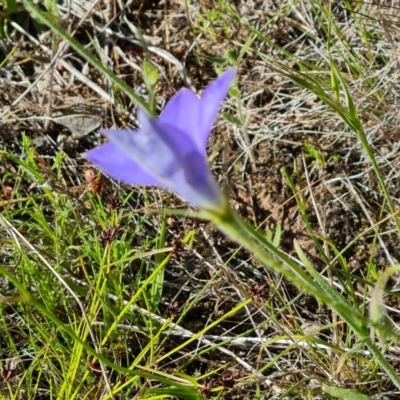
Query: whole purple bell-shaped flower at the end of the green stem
[169,151]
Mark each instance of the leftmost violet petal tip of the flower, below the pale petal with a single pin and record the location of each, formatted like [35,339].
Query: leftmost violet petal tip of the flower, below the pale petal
[119,165]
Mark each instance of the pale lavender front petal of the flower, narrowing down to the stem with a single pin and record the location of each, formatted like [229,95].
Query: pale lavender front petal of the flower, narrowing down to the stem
[170,155]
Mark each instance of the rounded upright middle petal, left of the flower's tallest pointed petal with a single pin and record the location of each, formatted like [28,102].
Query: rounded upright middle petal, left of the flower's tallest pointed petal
[183,111]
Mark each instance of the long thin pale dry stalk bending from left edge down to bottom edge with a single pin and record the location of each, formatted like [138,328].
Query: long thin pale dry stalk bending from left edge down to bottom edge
[17,235]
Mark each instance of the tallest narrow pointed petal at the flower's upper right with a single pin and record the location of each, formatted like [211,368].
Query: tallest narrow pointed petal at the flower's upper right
[212,99]
